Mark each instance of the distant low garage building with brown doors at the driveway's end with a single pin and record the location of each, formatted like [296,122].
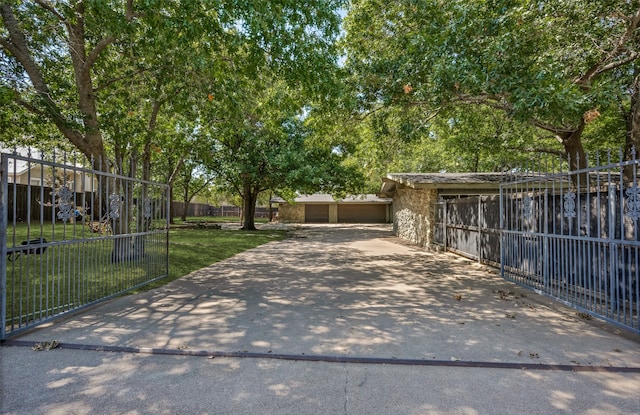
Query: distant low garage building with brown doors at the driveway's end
[323,208]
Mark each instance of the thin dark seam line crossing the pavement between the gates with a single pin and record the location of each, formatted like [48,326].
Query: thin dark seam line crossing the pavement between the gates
[332,359]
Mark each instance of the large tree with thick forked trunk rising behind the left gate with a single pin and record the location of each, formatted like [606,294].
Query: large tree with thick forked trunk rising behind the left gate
[72,63]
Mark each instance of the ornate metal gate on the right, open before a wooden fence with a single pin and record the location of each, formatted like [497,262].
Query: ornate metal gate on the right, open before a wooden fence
[574,235]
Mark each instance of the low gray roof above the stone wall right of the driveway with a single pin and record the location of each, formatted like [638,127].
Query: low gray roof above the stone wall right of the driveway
[445,183]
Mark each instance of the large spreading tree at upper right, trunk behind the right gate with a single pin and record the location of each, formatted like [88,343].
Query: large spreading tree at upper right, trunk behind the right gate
[551,64]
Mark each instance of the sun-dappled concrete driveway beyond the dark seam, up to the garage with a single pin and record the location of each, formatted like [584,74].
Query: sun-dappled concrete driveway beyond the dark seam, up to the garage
[363,292]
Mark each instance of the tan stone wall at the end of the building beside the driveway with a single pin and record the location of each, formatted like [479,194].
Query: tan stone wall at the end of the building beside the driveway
[414,215]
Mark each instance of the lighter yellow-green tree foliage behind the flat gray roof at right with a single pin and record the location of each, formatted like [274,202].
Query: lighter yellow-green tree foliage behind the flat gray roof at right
[459,139]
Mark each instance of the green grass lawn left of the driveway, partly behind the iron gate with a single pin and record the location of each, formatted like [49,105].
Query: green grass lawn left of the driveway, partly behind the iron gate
[76,271]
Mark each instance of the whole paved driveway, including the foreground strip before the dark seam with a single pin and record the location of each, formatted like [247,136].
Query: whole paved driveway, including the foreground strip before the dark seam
[433,334]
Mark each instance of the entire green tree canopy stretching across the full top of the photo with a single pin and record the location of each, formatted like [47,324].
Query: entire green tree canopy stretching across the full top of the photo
[286,96]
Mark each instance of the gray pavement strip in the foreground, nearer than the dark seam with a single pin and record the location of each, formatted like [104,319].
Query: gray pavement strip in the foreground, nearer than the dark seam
[69,382]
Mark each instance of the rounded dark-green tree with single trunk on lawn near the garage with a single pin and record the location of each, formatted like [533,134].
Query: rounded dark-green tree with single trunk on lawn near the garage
[263,144]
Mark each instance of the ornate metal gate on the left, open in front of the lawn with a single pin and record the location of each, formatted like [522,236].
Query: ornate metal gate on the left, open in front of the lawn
[72,236]
